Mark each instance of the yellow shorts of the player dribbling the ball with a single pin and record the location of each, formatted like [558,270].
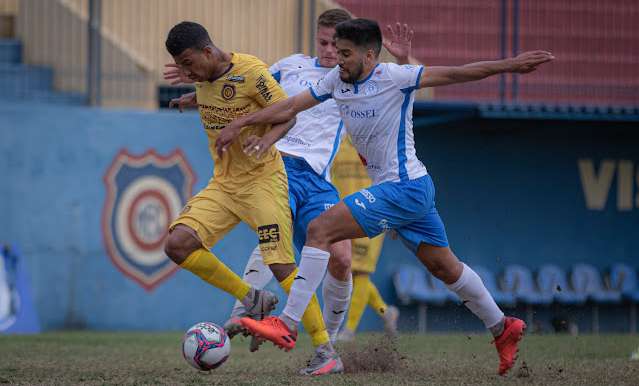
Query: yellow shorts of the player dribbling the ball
[262,204]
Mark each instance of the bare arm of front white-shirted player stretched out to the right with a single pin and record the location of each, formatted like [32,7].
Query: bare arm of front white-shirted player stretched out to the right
[521,64]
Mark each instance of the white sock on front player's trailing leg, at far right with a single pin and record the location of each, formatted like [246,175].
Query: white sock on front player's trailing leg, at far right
[473,293]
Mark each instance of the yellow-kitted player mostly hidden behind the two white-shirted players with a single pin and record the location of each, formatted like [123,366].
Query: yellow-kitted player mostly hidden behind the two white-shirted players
[349,176]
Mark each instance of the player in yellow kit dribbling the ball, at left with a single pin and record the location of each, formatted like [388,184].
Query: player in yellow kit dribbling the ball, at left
[243,188]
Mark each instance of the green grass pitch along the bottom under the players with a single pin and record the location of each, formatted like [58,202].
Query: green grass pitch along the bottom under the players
[88,358]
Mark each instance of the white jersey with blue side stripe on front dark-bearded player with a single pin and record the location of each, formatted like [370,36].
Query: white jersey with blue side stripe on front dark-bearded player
[378,114]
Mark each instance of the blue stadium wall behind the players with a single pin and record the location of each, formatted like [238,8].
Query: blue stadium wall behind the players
[526,191]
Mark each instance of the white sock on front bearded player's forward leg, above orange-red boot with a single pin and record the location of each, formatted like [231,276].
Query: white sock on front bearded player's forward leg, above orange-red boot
[313,263]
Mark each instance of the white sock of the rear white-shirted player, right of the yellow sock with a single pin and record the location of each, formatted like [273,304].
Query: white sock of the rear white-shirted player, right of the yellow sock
[337,297]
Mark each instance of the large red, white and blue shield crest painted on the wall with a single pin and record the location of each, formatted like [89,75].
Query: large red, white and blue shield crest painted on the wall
[143,195]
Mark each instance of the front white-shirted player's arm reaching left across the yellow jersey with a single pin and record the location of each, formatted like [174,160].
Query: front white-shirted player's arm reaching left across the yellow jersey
[279,112]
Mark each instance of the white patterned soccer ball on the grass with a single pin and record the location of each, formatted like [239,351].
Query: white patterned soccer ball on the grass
[206,346]
